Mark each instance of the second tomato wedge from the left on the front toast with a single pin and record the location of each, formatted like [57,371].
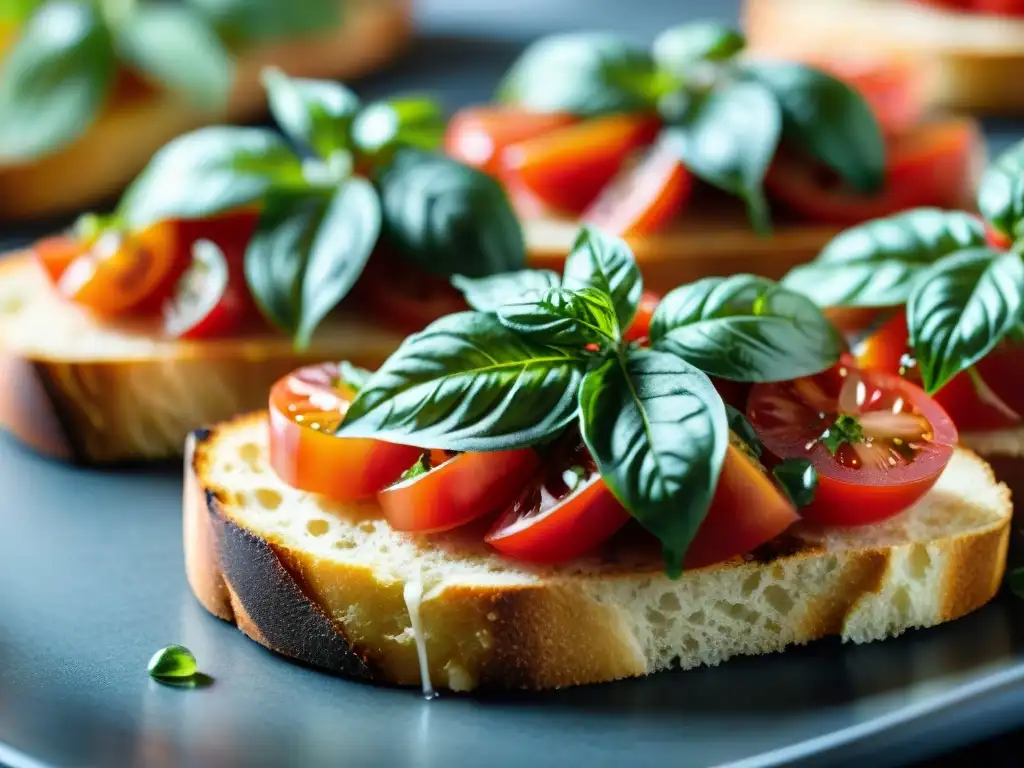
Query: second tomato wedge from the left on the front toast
[459,490]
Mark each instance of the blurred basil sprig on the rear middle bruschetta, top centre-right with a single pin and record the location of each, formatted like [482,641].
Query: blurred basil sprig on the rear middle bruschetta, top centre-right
[724,118]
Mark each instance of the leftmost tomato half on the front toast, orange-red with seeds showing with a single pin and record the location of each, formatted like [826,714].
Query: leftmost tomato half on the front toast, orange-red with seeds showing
[307,408]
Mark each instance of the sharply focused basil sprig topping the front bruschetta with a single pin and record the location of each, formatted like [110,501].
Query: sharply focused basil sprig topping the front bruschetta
[542,355]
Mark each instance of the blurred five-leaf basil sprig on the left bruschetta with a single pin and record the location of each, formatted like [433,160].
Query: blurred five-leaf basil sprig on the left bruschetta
[320,222]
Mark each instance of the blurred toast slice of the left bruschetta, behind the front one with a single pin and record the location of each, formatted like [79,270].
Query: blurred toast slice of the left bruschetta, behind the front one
[92,393]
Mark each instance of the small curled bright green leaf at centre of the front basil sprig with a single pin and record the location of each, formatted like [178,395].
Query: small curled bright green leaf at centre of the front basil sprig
[565,318]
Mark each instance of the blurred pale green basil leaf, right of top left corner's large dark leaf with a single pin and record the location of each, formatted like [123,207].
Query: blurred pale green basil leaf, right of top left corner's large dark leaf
[175,46]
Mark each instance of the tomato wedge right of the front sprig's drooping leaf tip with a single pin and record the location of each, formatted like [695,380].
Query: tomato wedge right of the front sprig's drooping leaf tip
[747,511]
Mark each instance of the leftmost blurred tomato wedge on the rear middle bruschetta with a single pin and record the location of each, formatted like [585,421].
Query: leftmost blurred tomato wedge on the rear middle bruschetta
[478,136]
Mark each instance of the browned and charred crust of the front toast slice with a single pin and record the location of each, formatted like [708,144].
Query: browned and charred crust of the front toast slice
[547,635]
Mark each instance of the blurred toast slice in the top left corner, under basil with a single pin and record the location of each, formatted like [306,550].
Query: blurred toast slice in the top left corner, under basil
[133,129]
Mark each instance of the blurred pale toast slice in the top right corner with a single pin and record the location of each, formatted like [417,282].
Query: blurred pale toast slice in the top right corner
[971,58]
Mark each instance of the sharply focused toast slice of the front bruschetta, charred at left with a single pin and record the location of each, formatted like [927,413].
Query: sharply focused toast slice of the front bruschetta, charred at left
[326,583]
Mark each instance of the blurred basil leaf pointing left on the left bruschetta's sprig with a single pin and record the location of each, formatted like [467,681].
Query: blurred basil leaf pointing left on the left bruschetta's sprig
[208,172]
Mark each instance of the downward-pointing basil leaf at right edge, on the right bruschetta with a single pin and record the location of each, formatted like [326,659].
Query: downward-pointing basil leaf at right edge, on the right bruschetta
[961,309]
